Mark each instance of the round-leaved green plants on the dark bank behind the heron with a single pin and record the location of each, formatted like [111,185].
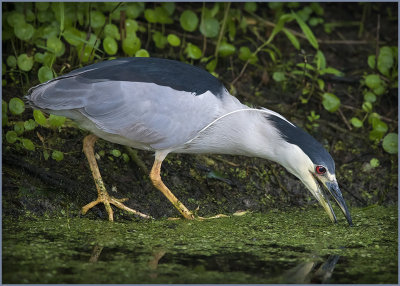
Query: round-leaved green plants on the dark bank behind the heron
[256,49]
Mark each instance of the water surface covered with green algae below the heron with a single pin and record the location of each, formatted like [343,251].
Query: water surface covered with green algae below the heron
[275,247]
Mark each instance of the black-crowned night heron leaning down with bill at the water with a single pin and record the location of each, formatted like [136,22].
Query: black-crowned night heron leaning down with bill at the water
[171,107]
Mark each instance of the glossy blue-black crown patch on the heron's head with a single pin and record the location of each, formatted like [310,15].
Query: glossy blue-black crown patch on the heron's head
[311,147]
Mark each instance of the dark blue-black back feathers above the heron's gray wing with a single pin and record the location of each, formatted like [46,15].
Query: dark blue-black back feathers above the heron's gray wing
[177,75]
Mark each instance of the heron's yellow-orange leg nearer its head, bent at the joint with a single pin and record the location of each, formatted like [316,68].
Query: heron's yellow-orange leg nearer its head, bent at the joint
[158,183]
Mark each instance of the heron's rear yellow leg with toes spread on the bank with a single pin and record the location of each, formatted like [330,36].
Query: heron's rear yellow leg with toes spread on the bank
[103,196]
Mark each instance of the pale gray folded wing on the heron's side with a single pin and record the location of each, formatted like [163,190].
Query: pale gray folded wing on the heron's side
[143,112]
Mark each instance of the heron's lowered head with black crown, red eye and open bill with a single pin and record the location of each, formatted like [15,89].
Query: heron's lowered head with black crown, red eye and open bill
[307,159]
